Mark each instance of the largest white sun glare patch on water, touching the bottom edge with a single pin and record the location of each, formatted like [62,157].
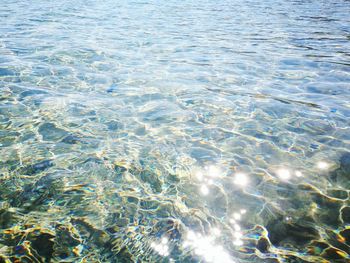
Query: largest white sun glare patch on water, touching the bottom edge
[207,247]
